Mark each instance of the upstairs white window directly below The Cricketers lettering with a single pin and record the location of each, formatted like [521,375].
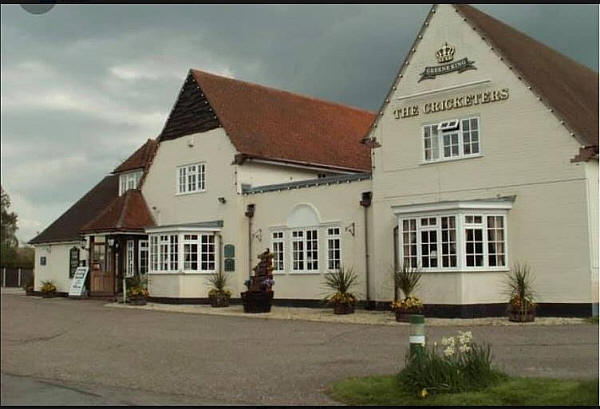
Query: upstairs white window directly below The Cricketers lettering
[451,139]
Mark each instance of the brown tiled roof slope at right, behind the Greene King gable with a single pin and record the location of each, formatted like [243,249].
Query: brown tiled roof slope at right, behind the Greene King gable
[570,88]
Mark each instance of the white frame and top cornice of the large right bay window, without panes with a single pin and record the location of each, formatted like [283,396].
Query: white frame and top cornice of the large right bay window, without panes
[459,211]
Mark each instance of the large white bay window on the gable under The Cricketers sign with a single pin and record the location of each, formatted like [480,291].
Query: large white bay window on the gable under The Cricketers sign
[456,236]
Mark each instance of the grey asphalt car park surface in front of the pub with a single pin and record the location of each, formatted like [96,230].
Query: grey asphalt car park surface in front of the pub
[82,351]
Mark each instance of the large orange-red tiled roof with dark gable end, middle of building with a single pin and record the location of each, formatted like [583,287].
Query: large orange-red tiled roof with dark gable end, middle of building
[271,124]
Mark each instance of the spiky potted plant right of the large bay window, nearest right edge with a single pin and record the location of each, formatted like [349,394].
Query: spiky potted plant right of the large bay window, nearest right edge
[519,287]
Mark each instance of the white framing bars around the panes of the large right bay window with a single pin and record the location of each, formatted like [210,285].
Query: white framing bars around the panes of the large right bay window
[460,244]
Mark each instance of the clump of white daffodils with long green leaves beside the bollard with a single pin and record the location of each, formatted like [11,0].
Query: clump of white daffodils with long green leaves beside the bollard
[462,366]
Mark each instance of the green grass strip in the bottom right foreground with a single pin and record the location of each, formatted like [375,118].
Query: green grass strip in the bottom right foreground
[385,391]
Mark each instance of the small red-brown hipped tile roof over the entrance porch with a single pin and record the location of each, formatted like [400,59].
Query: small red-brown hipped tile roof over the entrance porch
[126,213]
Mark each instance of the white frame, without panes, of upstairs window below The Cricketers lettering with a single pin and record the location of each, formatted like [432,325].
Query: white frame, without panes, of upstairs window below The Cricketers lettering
[440,140]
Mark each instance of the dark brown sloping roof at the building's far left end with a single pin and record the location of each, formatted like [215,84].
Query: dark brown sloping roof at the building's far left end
[66,227]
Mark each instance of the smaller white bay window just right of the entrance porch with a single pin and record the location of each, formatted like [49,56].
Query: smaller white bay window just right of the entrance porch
[183,252]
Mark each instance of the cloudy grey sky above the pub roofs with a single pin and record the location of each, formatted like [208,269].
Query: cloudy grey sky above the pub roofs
[84,85]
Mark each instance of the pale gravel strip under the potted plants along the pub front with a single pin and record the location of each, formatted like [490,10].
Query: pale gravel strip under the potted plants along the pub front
[326,315]
